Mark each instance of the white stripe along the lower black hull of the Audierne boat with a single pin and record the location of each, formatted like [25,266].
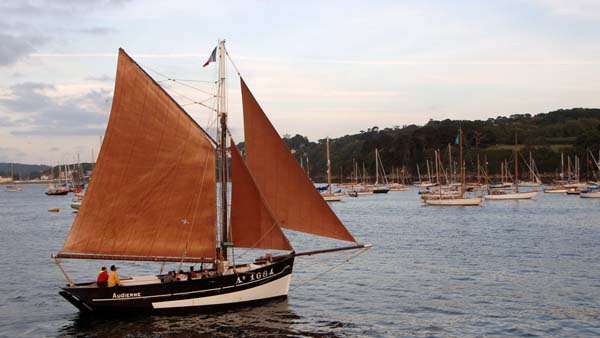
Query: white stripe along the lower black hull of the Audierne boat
[276,288]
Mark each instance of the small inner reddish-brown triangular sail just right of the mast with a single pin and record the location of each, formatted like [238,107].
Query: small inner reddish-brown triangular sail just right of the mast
[252,224]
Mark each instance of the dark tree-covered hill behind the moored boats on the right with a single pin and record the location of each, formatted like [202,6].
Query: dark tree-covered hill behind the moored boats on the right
[572,131]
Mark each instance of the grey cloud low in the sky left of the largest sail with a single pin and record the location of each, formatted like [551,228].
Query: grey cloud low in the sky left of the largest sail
[40,109]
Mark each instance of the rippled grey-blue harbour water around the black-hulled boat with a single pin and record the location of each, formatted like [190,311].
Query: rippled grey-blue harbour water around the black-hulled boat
[509,268]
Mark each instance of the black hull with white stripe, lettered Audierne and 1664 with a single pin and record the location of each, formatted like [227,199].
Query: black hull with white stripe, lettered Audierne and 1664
[198,295]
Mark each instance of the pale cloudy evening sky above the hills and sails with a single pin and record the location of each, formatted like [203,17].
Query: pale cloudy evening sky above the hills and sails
[318,68]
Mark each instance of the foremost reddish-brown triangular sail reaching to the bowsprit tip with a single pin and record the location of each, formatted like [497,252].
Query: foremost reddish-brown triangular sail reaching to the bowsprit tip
[287,190]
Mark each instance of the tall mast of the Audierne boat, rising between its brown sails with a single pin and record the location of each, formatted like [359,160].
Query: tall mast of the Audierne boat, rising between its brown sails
[222,147]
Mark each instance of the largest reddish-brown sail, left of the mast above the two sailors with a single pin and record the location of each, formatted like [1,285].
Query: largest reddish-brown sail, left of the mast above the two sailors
[152,193]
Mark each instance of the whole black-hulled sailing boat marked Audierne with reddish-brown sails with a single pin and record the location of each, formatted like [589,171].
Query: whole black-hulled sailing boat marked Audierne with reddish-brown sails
[150,138]
